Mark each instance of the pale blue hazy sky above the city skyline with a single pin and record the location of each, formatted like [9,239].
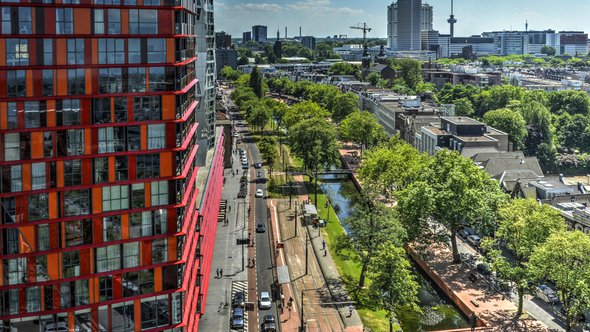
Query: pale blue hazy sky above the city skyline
[333,17]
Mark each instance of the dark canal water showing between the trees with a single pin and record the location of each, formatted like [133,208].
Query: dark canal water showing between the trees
[438,312]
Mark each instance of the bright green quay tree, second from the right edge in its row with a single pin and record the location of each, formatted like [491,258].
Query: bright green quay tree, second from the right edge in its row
[523,225]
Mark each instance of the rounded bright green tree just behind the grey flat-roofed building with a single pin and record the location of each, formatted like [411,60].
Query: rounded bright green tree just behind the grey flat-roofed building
[510,122]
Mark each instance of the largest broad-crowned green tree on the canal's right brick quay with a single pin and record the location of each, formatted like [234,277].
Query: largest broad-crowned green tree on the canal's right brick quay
[461,194]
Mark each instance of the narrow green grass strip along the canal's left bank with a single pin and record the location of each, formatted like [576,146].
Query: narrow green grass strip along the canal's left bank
[347,264]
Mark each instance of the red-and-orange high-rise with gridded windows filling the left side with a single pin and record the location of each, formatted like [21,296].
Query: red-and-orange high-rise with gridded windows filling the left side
[107,214]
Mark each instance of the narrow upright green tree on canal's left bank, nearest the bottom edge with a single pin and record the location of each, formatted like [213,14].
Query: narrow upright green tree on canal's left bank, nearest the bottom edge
[393,282]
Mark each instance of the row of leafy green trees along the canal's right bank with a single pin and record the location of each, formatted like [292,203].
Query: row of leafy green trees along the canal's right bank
[450,190]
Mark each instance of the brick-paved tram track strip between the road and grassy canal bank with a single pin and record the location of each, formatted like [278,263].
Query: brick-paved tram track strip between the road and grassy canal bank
[325,301]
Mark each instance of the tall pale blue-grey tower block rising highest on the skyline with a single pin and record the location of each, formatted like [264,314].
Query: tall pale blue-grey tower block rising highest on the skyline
[404,25]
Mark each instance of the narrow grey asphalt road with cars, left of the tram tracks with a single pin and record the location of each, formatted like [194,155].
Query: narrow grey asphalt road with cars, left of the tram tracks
[264,268]
